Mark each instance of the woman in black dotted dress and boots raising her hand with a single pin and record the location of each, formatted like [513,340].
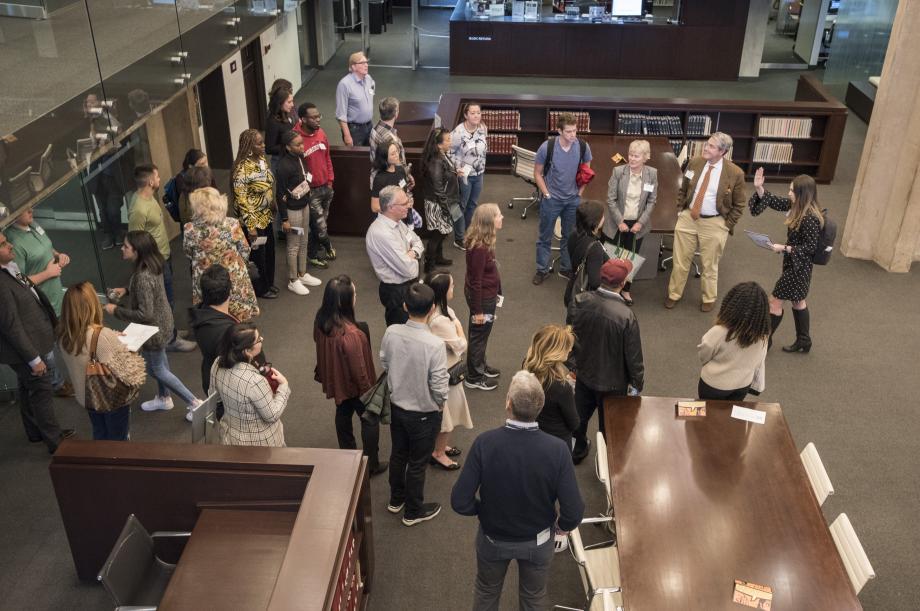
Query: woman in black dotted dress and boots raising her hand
[804,222]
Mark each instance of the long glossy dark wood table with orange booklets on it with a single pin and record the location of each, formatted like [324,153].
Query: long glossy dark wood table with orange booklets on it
[702,502]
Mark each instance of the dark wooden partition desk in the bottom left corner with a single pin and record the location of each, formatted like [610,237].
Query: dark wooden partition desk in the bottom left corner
[174,486]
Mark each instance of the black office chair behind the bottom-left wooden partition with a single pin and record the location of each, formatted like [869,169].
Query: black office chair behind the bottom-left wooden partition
[133,575]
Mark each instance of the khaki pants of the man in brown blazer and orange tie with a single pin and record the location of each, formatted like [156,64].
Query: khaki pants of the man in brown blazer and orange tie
[706,236]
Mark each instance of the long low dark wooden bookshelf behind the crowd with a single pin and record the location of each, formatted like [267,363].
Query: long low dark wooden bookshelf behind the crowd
[815,155]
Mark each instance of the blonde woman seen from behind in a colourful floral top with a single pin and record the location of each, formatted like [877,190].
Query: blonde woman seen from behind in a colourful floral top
[212,238]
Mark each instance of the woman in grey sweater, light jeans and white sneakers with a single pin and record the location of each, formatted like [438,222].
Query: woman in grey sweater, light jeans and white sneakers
[147,305]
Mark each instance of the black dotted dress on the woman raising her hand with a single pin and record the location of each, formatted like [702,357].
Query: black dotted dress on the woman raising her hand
[796,277]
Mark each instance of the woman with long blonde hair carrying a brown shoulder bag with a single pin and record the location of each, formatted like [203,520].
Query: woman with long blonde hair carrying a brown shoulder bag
[81,318]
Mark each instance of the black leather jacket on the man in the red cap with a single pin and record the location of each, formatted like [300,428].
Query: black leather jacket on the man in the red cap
[610,357]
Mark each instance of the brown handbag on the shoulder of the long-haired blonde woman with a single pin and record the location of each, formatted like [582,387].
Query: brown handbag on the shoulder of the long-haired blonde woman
[105,389]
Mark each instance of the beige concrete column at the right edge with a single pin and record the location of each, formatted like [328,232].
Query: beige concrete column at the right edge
[883,223]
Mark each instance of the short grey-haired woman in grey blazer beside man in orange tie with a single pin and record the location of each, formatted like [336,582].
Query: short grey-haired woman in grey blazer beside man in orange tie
[631,196]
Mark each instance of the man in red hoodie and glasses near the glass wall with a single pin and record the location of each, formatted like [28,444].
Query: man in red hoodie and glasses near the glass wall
[317,164]
